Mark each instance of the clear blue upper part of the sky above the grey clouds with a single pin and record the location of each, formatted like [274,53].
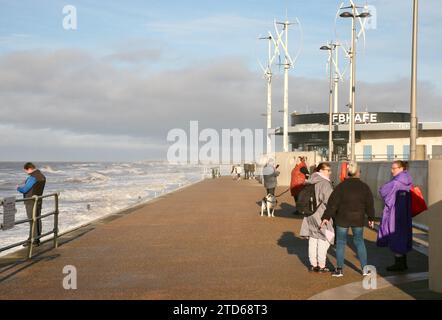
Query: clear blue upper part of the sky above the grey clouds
[200,31]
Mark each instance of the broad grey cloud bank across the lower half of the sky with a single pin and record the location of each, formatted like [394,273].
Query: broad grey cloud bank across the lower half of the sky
[76,104]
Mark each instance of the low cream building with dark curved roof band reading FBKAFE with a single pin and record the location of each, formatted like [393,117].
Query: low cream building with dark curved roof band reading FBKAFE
[379,135]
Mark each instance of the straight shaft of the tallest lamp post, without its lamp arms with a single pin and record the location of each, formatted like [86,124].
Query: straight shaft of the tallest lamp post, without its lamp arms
[353,86]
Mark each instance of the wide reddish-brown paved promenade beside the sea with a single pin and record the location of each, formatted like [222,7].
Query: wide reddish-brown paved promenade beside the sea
[204,242]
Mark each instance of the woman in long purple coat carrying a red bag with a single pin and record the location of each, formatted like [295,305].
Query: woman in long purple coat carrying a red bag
[395,230]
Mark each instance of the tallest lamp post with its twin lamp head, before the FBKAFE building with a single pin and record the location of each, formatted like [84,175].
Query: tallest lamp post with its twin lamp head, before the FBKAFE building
[353,15]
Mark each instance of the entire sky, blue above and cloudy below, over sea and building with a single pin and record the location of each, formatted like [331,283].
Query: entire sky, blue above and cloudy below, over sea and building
[133,70]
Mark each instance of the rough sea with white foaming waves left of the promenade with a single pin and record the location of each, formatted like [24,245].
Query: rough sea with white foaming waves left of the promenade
[91,190]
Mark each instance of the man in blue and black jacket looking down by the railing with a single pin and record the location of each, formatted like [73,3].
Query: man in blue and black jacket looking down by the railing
[33,186]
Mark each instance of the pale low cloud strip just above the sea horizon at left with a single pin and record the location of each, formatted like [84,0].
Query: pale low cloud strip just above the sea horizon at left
[21,143]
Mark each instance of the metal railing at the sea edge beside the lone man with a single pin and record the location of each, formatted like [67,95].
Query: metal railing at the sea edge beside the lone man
[31,241]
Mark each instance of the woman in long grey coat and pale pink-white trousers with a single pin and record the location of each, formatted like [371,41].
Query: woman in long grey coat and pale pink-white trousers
[311,227]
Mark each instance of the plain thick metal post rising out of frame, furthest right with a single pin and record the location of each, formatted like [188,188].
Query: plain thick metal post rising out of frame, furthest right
[413,111]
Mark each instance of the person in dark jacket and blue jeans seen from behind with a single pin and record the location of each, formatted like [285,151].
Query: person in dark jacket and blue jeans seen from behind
[348,205]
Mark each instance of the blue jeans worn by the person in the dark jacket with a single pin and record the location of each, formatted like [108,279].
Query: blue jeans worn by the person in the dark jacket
[358,240]
